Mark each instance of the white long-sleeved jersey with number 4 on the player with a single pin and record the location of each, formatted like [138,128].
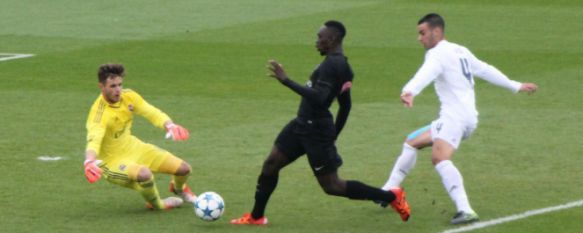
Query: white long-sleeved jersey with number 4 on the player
[453,67]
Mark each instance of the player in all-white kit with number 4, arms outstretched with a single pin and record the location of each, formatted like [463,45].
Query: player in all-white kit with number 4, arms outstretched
[452,68]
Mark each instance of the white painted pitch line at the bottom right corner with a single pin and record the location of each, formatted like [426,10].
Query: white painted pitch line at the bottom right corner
[515,217]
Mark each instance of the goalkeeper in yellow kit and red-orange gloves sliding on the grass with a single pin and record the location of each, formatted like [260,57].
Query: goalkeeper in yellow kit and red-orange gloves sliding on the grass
[123,159]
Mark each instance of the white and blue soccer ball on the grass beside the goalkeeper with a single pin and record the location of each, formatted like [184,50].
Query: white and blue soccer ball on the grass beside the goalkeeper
[209,206]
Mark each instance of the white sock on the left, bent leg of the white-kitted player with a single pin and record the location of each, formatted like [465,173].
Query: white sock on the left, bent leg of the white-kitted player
[404,164]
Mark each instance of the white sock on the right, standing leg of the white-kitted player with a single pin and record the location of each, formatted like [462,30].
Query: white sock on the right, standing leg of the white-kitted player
[454,185]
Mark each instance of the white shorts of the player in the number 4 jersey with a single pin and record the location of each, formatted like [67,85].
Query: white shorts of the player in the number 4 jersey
[451,131]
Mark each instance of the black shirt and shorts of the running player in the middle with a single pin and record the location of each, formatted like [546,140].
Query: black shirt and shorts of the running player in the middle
[314,132]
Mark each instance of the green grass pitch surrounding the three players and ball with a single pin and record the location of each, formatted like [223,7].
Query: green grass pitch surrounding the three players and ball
[203,63]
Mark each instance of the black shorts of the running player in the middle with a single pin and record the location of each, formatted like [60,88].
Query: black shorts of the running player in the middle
[313,137]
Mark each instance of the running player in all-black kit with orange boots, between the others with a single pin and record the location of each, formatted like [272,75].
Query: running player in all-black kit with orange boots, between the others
[313,131]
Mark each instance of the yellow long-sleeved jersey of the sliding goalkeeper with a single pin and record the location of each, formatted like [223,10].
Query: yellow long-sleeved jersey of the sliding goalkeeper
[109,126]
